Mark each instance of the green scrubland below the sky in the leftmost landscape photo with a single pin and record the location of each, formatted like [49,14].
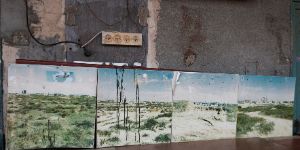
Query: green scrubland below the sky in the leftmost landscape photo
[50,121]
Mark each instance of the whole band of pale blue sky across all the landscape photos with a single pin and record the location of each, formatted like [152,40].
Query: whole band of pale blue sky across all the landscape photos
[154,85]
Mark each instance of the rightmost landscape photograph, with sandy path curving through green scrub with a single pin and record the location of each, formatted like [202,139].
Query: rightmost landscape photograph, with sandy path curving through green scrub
[266,106]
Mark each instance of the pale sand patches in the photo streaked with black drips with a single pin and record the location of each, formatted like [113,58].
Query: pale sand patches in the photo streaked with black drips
[109,118]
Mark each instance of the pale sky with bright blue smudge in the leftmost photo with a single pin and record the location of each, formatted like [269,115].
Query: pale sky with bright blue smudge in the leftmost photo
[36,79]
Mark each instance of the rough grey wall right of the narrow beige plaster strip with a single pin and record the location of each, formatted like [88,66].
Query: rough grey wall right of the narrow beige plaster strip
[230,36]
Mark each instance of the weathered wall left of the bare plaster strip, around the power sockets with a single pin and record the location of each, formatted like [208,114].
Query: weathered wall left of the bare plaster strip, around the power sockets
[55,20]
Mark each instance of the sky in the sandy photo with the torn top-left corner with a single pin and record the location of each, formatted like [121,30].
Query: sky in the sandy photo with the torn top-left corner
[206,87]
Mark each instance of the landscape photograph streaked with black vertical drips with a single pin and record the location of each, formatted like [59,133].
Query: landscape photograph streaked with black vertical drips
[134,107]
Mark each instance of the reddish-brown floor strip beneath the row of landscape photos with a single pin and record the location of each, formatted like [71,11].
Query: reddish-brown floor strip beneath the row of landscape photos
[292,143]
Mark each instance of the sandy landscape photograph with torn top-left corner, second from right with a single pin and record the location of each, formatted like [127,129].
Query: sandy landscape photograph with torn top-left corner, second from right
[205,106]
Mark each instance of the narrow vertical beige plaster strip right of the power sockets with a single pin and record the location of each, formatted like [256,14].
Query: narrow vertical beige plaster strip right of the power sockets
[154,8]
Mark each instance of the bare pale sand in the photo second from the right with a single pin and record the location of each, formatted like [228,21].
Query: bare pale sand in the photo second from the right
[189,126]
